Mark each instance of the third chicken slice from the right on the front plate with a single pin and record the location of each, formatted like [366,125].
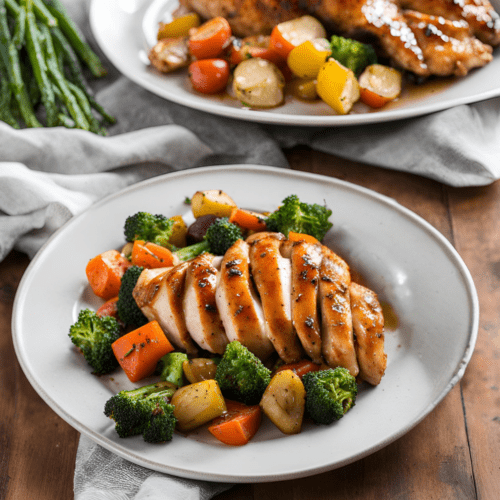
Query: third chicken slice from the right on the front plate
[306,261]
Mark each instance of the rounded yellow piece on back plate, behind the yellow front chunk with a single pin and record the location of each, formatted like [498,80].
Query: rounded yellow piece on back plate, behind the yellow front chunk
[306,59]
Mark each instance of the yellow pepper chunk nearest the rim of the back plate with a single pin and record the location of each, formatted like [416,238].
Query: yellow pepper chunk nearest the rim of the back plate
[337,86]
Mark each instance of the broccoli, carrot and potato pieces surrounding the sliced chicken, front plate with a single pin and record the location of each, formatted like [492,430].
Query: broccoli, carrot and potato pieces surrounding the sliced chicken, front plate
[229,393]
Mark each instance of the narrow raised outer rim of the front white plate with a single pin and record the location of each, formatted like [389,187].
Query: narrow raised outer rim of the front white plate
[304,472]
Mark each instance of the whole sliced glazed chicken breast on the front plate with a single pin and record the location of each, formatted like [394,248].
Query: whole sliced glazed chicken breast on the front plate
[293,299]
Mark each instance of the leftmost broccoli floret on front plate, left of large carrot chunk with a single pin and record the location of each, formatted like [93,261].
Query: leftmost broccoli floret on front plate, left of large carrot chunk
[93,335]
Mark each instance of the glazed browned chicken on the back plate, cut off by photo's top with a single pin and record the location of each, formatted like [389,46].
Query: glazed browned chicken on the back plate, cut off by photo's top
[418,47]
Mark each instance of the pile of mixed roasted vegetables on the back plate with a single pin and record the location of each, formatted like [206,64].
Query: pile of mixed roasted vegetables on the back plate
[297,58]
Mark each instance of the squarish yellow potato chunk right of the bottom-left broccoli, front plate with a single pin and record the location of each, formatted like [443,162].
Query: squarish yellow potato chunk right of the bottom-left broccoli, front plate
[197,404]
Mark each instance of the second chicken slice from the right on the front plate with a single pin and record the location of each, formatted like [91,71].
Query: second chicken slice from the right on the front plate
[337,332]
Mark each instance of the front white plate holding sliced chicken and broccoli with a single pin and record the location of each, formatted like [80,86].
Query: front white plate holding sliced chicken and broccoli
[406,261]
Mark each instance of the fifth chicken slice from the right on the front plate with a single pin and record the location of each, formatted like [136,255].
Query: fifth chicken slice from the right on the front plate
[238,305]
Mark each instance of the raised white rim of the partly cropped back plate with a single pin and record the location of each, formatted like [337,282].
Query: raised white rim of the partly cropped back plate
[263,117]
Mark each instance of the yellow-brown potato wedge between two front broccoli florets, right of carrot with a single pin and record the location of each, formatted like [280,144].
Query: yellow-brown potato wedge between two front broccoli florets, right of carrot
[284,402]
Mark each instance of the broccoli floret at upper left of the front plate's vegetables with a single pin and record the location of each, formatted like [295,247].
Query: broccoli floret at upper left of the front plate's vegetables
[145,226]
